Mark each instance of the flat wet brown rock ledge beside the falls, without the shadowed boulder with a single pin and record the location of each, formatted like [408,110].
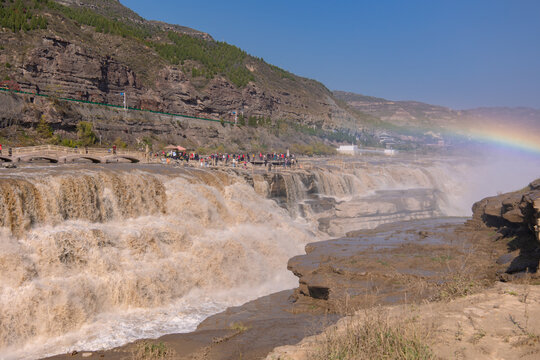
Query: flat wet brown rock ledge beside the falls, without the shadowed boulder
[395,263]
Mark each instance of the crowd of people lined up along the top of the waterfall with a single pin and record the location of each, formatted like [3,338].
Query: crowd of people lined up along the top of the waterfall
[224,159]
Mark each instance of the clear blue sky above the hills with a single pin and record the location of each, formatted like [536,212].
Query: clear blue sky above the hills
[456,53]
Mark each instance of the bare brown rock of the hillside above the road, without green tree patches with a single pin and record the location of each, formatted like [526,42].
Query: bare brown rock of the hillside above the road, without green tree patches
[73,60]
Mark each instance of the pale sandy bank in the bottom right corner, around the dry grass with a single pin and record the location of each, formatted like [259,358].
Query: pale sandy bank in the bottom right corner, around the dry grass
[497,323]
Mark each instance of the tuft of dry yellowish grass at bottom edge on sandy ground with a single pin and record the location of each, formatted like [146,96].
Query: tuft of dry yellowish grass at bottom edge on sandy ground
[373,337]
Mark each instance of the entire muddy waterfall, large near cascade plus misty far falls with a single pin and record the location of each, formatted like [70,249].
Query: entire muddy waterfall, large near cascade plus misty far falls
[92,258]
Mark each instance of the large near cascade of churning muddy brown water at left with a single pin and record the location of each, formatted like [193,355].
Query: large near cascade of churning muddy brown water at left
[126,250]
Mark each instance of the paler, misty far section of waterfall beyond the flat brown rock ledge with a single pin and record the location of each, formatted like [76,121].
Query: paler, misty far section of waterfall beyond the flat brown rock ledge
[365,196]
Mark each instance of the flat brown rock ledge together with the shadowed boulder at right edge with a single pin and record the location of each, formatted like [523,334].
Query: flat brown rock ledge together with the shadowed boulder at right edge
[385,264]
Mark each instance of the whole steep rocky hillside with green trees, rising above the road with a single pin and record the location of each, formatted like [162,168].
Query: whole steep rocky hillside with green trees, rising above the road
[94,50]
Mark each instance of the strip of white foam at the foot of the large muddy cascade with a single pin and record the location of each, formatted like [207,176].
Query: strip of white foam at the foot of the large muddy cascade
[108,330]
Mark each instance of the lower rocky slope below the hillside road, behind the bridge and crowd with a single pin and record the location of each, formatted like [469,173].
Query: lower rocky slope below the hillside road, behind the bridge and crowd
[23,112]
